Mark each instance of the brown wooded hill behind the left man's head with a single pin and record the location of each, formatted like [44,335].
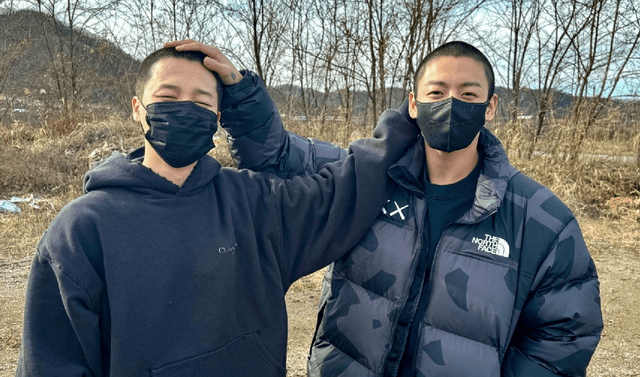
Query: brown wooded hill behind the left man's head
[43,62]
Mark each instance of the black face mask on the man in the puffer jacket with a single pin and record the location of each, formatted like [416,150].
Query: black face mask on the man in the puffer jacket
[450,125]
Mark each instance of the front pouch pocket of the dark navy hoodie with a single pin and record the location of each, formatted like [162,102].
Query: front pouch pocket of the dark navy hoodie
[243,356]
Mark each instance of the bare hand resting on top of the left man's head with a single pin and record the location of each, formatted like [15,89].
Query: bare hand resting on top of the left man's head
[215,60]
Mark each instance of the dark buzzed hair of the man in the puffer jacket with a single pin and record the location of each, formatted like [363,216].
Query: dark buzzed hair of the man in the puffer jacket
[457,49]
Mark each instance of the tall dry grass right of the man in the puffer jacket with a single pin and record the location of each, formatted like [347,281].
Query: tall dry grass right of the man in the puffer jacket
[585,173]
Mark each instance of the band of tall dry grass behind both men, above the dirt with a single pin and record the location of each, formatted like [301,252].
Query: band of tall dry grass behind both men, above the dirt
[48,160]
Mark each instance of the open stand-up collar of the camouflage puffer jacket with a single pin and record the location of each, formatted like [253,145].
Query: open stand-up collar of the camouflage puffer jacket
[492,183]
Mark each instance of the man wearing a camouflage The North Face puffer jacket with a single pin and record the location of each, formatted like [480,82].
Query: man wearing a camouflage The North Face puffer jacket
[472,268]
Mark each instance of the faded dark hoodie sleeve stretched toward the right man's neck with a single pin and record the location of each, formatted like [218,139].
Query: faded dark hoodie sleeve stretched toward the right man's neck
[324,215]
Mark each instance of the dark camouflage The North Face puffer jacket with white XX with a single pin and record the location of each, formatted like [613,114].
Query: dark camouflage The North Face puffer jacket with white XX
[513,290]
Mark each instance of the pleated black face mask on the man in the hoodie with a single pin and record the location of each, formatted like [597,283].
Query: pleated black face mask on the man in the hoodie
[180,132]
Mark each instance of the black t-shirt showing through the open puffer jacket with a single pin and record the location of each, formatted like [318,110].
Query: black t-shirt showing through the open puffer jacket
[445,204]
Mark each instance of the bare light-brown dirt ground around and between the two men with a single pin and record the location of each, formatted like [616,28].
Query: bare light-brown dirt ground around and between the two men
[613,245]
